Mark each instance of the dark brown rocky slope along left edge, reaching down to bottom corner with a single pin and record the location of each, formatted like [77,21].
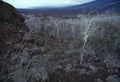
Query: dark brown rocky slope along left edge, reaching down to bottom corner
[12,28]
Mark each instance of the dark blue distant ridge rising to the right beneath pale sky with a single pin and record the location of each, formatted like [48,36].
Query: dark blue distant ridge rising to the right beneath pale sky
[97,6]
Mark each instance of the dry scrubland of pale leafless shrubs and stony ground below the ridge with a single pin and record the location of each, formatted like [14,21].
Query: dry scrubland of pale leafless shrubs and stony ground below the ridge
[56,48]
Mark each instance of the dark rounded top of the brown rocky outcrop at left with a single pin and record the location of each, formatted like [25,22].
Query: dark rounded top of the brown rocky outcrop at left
[9,14]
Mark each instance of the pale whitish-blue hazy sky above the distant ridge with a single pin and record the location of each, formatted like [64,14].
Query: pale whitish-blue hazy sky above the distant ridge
[44,3]
